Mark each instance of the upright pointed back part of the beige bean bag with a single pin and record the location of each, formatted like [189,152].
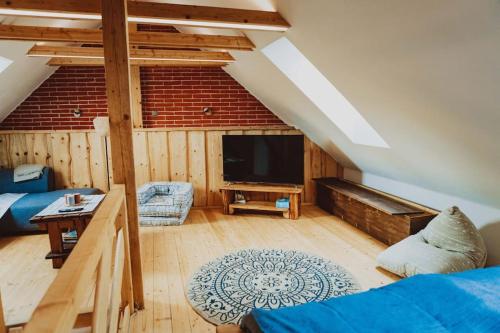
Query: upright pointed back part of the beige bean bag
[452,230]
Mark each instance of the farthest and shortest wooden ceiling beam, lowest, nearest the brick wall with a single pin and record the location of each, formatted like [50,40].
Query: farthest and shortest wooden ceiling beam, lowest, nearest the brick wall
[81,62]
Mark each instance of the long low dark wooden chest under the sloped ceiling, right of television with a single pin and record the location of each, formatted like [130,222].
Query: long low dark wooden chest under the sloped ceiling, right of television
[382,216]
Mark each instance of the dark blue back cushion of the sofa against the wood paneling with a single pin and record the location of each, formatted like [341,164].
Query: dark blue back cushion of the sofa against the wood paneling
[43,184]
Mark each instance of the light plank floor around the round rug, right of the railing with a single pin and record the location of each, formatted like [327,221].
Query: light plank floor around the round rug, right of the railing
[208,234]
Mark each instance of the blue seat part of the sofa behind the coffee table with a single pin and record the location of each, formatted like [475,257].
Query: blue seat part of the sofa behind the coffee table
[16,220]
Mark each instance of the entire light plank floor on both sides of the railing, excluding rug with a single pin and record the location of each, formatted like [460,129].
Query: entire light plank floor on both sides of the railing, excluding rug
[171,254]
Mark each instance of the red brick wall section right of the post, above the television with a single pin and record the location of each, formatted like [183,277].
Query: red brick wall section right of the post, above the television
[178,96]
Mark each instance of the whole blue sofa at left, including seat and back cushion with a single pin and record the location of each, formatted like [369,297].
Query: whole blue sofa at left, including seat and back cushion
[41,193]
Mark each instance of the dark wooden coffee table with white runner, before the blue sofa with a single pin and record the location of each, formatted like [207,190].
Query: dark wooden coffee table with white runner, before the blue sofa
[58,223]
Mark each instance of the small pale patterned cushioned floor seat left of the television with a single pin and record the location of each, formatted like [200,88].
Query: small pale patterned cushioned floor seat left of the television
[164,203]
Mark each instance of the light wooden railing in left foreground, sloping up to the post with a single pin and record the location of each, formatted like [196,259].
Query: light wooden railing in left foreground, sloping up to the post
[100,261]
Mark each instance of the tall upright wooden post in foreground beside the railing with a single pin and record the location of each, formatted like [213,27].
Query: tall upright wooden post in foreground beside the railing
[116,62]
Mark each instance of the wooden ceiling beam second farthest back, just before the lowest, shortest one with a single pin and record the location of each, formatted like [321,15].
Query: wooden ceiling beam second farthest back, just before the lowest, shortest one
[134,54]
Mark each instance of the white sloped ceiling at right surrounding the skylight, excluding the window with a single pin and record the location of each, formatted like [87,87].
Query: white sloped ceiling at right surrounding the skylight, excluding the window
[425,74]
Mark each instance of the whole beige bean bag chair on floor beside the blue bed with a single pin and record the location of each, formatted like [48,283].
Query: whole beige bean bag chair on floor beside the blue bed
[449,243]
